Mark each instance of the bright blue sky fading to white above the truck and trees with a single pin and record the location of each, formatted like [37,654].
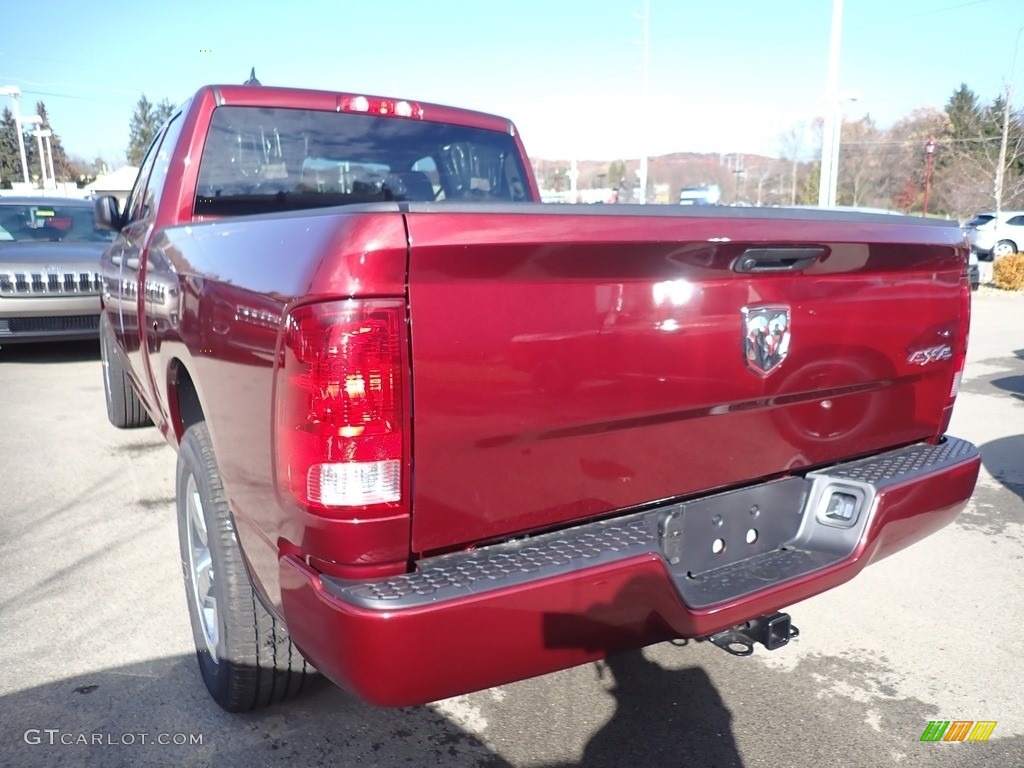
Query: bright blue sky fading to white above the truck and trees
[726,75]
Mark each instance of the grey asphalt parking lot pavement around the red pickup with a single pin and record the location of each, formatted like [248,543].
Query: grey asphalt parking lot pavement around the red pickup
[98,652]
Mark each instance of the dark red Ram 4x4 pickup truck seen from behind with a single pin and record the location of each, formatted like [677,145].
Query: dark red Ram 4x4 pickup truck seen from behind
[435,437]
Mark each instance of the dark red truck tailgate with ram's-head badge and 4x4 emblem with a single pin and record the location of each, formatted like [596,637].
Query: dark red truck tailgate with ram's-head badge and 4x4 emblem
[568,364]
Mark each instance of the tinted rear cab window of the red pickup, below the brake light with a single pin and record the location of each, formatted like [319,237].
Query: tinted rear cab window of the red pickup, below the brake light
[259,160]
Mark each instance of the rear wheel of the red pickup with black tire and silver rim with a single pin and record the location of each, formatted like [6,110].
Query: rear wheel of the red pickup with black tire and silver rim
[253,663]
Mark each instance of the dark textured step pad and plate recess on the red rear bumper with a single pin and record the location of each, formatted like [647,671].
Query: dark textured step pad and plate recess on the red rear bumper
[706,544]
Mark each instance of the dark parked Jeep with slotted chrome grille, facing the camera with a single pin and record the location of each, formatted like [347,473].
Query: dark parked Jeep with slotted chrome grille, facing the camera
[50,270]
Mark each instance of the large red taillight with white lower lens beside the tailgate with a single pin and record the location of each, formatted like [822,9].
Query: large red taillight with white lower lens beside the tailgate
[340,420]
